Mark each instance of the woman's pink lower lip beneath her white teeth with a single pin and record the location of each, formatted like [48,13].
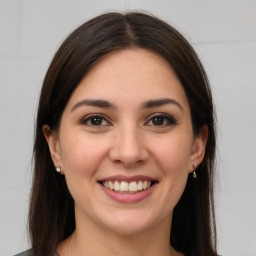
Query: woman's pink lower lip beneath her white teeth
[129,198]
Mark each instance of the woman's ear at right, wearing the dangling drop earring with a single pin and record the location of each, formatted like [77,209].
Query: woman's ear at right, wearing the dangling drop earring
[198,148]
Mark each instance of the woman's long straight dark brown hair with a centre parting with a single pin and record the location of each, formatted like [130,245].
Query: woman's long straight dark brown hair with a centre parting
[51,215]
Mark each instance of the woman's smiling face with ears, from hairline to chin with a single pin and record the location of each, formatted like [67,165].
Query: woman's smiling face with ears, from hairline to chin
[126,144]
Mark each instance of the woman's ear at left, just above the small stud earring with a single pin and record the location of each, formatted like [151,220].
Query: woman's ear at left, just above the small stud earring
[53,143]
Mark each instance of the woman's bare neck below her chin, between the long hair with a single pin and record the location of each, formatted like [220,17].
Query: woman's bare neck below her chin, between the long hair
[90,239]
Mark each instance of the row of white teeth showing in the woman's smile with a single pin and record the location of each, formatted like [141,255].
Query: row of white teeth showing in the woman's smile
[124,186]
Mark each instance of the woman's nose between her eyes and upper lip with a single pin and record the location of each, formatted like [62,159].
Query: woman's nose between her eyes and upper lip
[128,147]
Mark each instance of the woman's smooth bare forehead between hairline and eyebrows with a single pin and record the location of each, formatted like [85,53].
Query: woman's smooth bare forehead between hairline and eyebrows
[130,75]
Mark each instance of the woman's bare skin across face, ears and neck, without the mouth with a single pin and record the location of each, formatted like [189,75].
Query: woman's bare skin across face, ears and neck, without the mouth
[127,141]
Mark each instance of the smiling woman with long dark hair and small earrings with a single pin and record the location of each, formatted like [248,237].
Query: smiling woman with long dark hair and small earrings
[125,144]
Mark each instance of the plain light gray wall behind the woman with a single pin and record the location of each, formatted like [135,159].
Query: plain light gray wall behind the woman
[223,33]
